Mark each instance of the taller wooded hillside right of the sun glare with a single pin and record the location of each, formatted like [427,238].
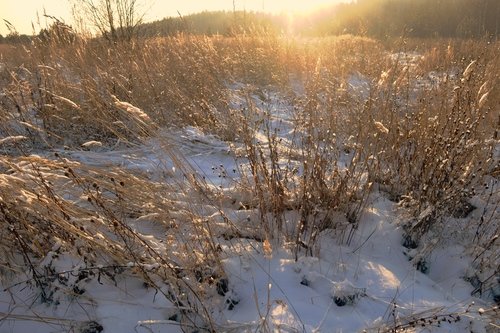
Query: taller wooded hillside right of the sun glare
[417,18]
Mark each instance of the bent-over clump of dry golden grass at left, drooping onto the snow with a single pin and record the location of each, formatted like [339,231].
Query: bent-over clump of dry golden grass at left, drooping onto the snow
[53,206]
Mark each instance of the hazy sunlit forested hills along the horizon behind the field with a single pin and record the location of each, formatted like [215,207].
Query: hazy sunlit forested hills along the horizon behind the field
[373,18]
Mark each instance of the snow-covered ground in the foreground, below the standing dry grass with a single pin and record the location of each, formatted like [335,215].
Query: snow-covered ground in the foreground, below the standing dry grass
[368,285]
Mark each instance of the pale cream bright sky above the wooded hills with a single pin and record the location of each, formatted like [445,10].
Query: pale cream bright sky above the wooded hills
[22,13]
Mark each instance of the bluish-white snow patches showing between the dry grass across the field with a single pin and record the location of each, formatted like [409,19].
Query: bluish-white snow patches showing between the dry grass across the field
[367,285]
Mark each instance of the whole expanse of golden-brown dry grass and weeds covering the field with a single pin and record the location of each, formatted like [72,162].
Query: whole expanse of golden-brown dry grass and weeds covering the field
[427,144]
